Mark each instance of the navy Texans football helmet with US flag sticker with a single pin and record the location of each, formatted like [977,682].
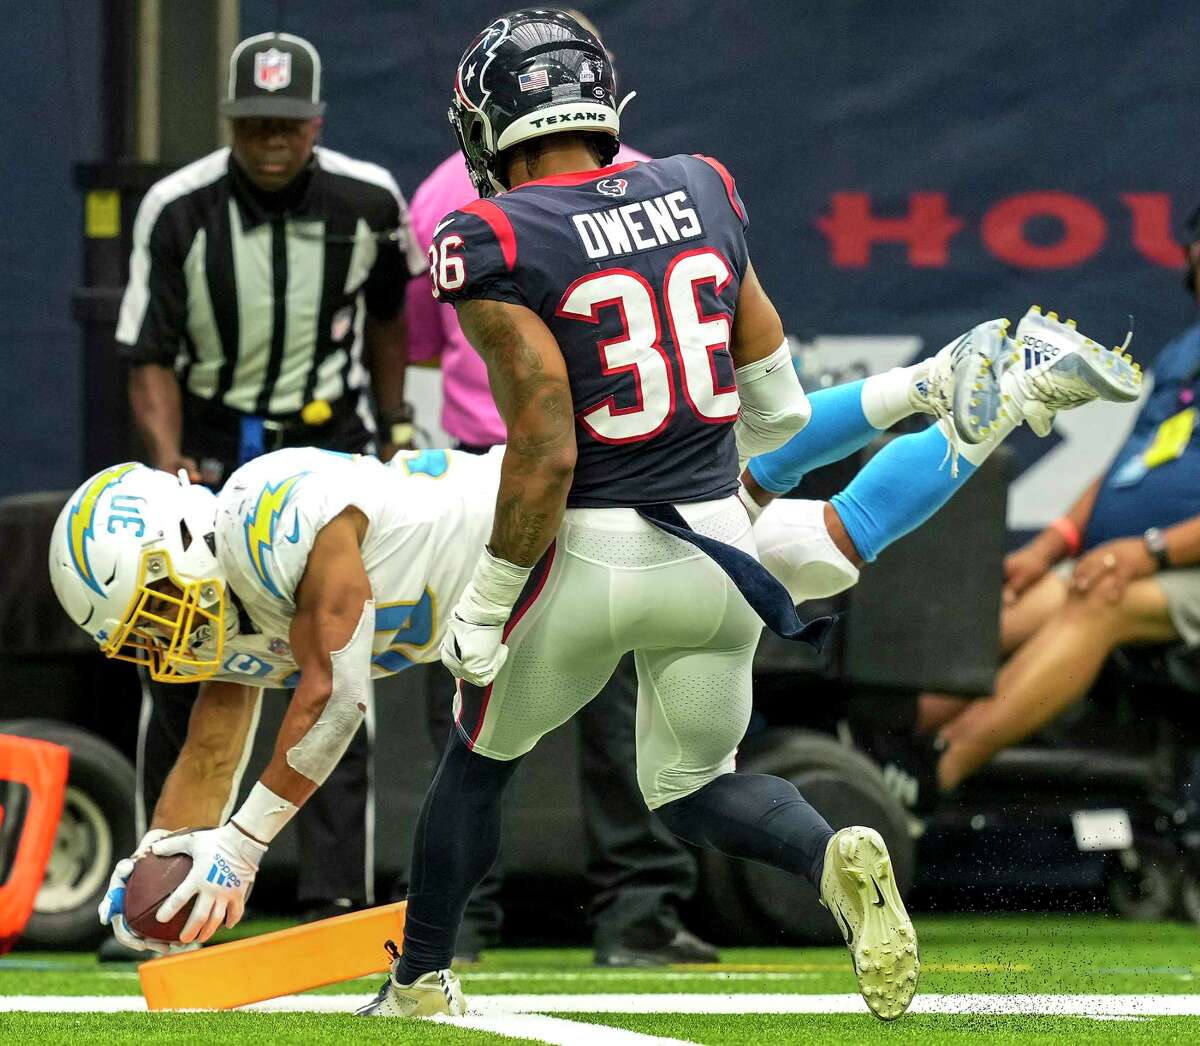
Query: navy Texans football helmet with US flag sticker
[531,74]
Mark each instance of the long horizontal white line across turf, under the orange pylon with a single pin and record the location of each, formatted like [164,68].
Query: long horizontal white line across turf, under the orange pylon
[1136,1006]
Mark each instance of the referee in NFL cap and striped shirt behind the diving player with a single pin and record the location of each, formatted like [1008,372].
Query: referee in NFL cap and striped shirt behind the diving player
[263,311]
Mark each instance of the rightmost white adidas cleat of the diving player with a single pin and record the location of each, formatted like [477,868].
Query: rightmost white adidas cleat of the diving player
[1054,368]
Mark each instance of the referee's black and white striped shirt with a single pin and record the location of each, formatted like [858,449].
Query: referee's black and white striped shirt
[262,310]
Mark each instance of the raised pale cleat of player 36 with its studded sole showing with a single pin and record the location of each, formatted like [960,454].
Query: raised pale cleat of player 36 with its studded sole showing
[860,889]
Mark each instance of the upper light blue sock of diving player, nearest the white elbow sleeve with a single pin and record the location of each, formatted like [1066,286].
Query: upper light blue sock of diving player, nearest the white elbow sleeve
[838,429]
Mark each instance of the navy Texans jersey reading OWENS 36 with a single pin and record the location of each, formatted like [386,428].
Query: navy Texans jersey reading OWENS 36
[635,269]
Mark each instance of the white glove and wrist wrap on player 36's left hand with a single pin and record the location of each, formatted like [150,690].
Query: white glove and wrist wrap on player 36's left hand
[473,647]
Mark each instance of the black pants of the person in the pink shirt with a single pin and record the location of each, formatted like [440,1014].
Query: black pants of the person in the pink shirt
[640,873]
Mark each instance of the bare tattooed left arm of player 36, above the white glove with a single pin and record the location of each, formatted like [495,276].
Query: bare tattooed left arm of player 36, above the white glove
[529,378]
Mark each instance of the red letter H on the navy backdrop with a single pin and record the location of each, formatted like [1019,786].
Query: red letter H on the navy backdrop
[853,230]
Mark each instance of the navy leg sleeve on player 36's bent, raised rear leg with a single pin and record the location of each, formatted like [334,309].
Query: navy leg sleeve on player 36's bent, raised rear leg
[755,817]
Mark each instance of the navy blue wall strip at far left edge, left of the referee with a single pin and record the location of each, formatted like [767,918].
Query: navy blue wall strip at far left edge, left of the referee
[50,81]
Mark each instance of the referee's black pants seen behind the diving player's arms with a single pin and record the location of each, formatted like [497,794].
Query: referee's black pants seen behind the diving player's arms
[334,832]
